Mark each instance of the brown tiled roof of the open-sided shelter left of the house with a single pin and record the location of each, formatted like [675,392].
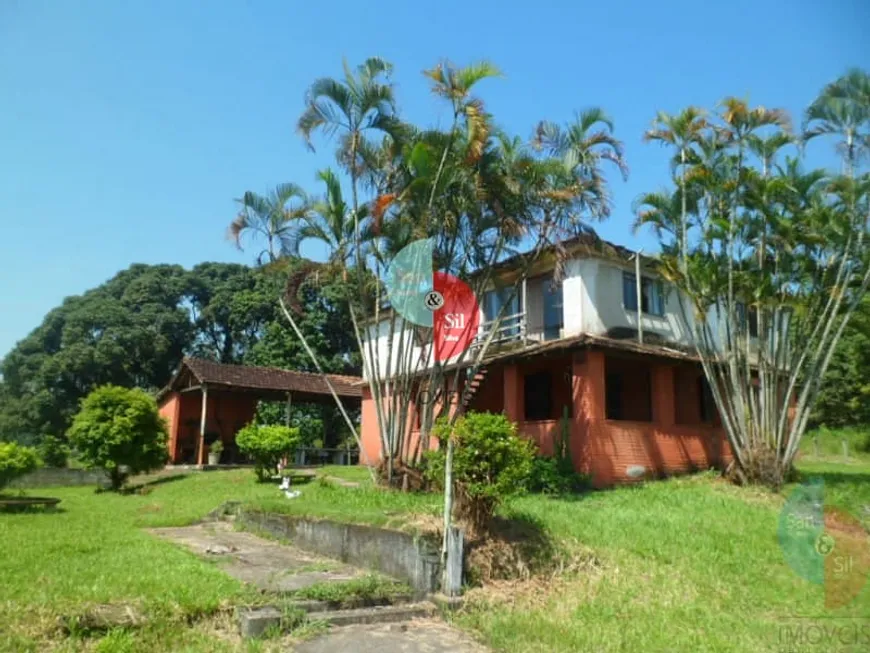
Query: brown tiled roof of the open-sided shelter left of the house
[250,377]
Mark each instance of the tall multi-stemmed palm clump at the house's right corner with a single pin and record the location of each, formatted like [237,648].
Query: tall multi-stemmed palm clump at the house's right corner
[769,260]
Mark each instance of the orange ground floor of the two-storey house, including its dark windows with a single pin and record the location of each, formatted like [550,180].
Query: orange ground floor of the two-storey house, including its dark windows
[634,411]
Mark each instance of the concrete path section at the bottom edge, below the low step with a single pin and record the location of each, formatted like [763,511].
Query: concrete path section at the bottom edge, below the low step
[417,636]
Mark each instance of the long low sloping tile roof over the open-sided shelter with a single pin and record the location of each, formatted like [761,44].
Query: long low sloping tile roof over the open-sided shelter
[267,382]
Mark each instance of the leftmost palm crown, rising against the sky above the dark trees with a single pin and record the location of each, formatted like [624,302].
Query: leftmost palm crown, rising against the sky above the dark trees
[271,217]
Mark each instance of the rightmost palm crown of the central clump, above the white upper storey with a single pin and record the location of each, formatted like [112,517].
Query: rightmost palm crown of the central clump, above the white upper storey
[582,146]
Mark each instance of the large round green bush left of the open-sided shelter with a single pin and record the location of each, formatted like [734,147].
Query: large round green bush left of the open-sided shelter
[119,430]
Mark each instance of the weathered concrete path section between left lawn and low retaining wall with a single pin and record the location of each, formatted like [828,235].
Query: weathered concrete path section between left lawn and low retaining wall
[265,564]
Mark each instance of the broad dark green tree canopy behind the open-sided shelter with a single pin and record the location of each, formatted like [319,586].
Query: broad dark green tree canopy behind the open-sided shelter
[133,331]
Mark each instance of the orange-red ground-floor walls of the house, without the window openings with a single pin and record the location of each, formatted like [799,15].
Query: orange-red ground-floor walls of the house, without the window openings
[604,448]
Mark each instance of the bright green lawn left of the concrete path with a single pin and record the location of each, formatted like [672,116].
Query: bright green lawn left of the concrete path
[95,551]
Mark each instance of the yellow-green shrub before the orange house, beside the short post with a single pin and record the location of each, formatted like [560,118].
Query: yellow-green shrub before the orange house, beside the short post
[490,463]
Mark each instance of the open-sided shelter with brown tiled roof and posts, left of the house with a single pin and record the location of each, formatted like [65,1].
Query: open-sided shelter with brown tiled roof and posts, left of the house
[207,401]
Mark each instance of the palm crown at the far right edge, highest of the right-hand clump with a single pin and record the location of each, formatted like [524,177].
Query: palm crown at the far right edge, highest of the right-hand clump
[843,109]
